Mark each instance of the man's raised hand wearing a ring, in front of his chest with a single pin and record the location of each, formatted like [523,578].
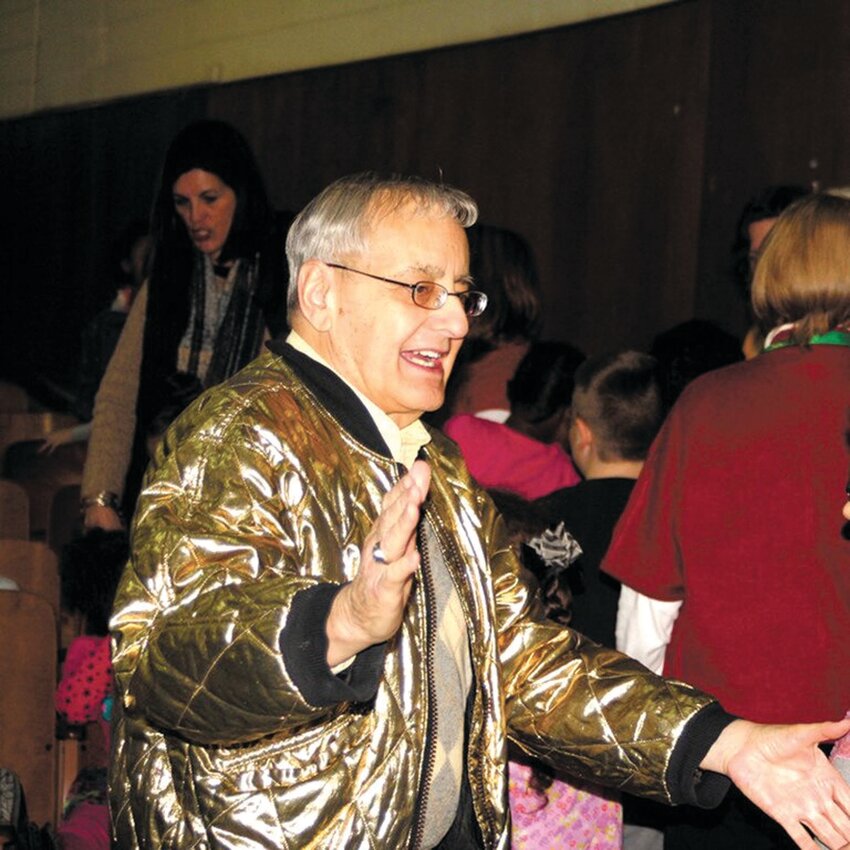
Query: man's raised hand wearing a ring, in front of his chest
[370,609]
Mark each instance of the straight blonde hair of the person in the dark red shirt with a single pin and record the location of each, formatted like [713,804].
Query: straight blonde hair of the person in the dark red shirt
[803,273]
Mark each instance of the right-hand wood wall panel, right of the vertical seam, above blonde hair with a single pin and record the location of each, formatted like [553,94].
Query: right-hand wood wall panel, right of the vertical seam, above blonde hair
[777,113]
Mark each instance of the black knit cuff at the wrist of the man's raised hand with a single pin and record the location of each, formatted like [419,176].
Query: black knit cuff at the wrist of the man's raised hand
[304,646]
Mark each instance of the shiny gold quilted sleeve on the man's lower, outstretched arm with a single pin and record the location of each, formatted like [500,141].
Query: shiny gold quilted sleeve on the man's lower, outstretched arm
[587,710]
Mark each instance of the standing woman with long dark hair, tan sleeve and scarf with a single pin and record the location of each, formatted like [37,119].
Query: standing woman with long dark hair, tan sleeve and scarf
[216,289]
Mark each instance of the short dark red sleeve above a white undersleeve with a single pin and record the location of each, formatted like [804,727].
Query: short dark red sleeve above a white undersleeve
[644,551]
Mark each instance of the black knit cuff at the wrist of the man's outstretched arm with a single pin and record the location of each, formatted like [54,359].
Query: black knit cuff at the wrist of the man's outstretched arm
[686,781]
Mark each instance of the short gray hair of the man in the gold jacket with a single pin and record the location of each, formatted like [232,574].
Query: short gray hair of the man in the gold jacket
[336,221]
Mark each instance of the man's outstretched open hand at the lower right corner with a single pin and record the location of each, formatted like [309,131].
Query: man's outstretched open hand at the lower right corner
[783,771]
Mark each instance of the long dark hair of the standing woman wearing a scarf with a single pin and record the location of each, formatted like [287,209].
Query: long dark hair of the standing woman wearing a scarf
[220,149]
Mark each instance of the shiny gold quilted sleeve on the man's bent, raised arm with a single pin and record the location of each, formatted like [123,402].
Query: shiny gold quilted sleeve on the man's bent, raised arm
[225,535]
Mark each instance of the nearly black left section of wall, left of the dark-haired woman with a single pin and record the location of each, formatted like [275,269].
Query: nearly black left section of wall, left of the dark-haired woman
[76,179]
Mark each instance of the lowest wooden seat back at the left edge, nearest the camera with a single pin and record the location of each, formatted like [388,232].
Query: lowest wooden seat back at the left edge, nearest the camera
[27,685]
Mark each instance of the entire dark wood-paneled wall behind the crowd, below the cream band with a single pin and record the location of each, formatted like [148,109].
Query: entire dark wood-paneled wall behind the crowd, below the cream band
[622,149]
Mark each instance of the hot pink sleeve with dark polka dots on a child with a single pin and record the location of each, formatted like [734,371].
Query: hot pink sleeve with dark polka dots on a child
[86,679]
